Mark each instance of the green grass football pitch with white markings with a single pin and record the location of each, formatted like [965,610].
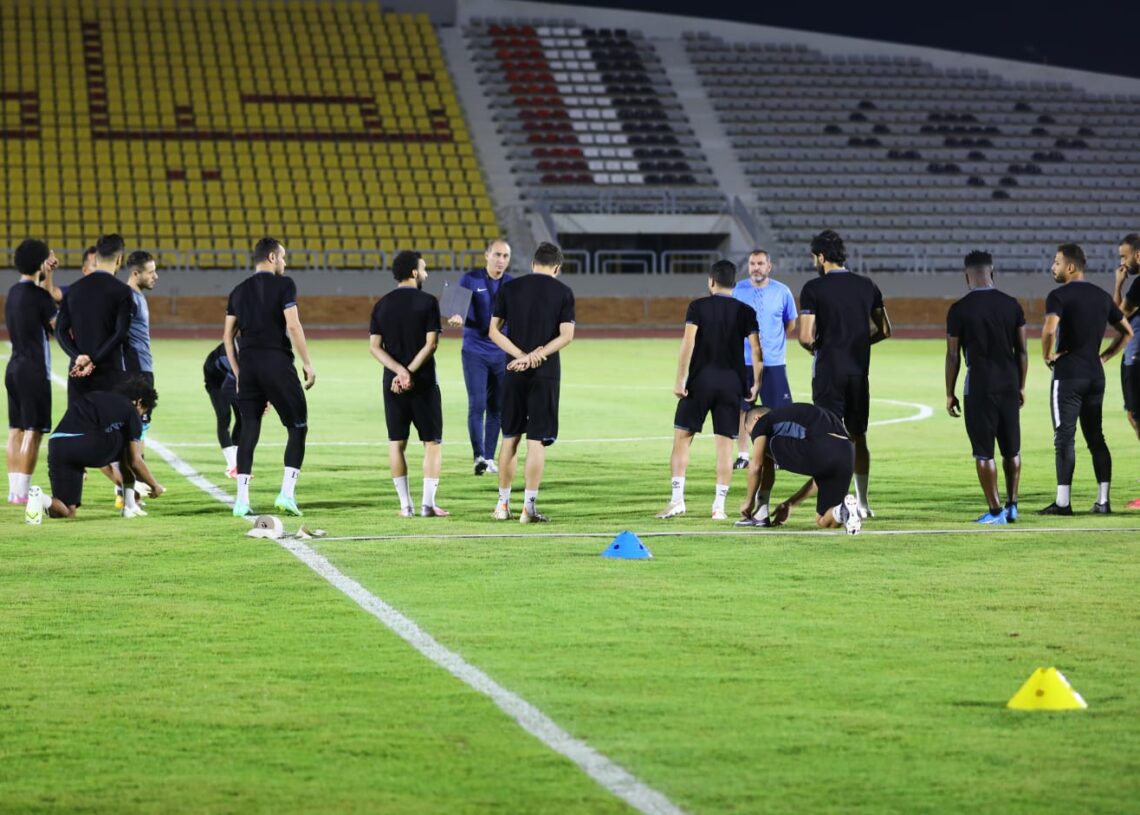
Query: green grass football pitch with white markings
[170,665]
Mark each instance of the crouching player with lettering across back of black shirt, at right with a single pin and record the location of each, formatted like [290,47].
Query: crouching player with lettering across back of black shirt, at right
[808,441]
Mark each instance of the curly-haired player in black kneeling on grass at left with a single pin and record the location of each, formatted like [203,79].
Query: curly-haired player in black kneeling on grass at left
[101,428]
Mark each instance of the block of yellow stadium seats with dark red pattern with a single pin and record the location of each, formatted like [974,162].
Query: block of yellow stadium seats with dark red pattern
[197,127]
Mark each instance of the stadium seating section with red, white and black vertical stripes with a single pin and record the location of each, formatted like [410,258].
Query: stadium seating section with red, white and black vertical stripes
[590,119]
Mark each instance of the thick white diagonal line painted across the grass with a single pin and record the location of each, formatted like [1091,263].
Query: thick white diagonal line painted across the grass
[607,773]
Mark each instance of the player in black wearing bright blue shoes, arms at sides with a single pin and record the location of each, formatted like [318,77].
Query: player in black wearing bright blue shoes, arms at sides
[989,328]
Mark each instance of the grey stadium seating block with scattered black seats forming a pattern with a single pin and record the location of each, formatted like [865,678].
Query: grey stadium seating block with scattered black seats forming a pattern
[917,165]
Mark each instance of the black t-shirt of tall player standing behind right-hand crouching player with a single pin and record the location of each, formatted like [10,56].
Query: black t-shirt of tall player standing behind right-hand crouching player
[843,304]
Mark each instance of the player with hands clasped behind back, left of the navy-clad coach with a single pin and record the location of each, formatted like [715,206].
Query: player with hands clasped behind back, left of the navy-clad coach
[404,335]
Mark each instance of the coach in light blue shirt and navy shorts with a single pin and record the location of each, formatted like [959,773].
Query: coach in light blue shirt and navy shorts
[776,313]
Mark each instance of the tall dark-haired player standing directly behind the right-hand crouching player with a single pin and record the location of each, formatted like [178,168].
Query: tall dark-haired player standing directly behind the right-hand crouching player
[842,316]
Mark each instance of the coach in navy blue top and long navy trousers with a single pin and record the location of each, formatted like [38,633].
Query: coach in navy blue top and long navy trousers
[484,363]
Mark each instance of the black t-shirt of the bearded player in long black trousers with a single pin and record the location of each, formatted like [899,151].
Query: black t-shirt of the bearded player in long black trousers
[1085,311]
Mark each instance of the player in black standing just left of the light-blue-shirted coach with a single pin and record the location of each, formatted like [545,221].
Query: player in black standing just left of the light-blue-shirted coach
[710,380]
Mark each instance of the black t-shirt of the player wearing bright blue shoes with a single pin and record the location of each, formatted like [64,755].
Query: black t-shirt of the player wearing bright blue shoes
[987,324]
